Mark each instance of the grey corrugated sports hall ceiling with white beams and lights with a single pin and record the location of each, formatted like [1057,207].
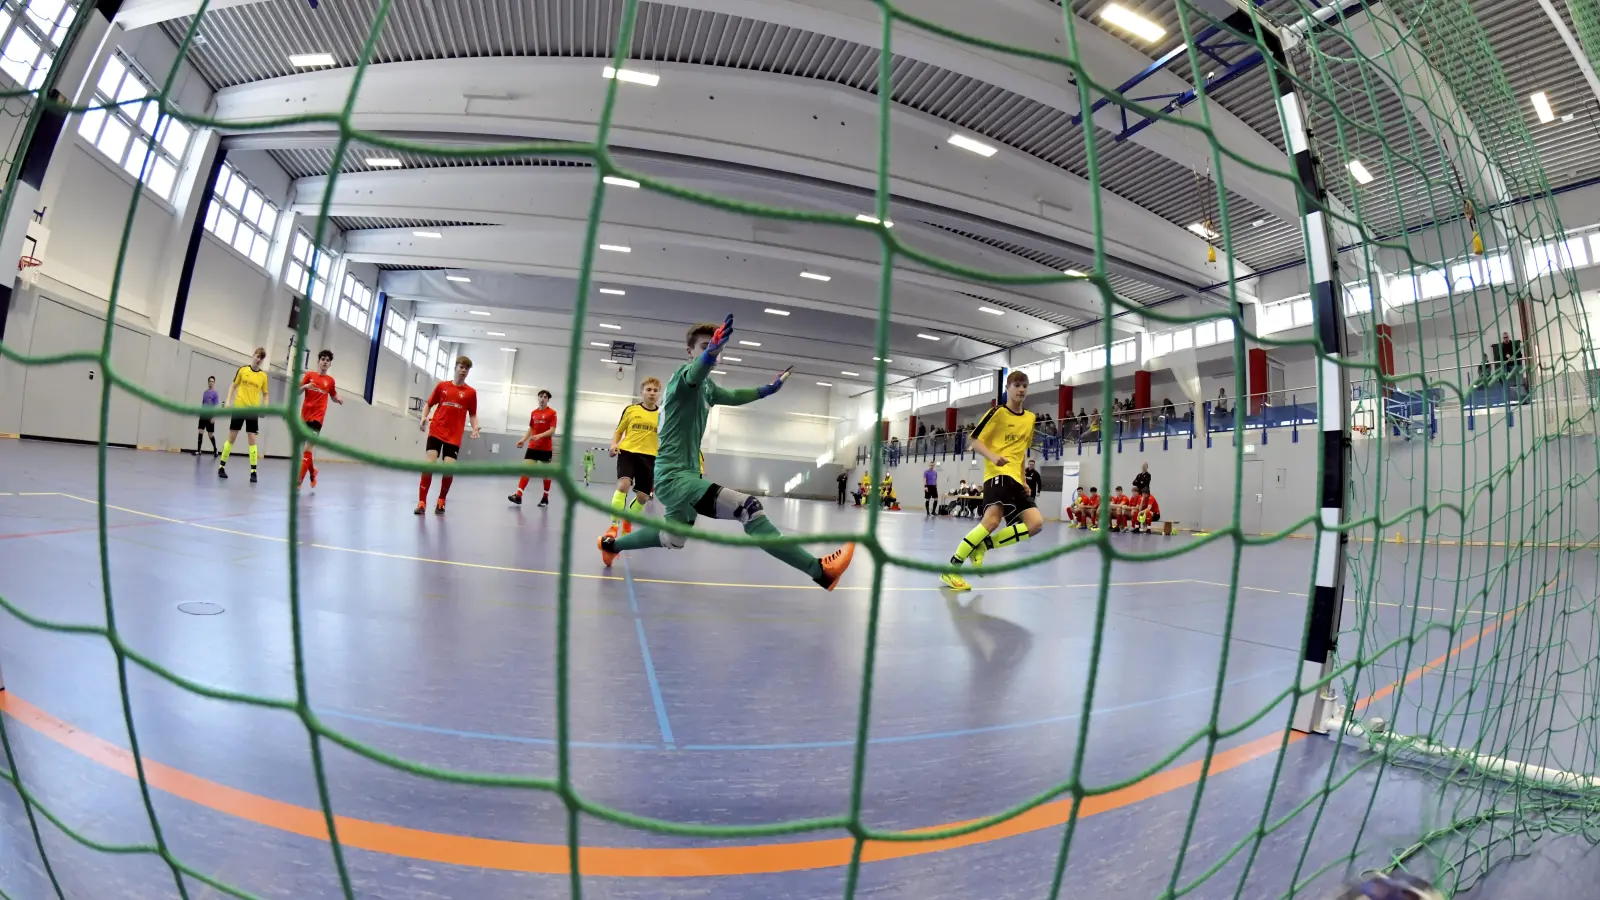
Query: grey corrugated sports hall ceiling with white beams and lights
[522,219]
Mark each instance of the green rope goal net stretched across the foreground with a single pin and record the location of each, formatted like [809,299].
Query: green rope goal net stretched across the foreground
[1463,681]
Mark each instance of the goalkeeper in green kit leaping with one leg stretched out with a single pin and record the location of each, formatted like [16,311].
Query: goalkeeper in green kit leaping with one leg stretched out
[681,488]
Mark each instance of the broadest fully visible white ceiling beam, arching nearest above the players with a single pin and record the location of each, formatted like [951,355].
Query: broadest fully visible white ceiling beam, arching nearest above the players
[798,135]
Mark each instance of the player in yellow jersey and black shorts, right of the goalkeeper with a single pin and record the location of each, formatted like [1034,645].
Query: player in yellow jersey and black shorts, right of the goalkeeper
[1002,440]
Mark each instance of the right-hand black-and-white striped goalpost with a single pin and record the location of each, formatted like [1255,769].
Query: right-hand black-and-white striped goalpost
[1327,595]
